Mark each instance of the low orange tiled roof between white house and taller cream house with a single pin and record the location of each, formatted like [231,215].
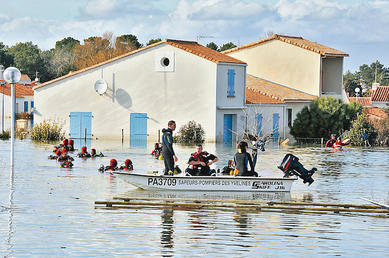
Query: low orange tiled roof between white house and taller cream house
[276,91]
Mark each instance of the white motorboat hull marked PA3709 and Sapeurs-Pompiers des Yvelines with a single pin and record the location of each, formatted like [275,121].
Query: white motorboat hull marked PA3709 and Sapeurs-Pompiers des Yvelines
[206,183]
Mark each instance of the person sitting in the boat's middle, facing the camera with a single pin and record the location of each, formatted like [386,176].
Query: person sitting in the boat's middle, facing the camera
[200,162]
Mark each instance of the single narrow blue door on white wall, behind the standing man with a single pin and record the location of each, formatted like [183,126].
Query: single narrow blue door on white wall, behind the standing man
[138,129]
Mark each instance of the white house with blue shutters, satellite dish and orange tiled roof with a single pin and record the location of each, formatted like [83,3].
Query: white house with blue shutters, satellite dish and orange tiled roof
[134,95]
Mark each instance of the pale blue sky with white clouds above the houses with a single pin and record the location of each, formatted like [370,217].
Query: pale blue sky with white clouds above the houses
[357,27]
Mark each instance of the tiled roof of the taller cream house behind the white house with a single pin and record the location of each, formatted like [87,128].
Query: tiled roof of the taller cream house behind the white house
[297,41]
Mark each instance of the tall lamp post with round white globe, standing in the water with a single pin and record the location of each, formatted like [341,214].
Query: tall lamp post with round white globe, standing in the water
[12,75]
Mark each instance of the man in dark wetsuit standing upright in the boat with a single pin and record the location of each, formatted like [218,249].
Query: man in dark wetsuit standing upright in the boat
[169,157]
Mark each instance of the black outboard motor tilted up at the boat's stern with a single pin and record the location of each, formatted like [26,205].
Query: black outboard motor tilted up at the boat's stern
[291,166]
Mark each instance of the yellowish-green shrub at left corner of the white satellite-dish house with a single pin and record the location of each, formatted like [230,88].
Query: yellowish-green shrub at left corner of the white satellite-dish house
[48,130]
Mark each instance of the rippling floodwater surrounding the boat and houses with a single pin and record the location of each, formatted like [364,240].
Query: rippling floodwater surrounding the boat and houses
[47,211]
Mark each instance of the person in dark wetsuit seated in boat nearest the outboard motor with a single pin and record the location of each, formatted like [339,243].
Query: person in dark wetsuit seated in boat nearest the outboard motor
[242,159]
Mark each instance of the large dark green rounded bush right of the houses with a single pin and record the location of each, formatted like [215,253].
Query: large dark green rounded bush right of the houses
[323,117]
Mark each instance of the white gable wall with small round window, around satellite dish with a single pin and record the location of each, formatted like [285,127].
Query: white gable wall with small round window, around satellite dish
[134,86]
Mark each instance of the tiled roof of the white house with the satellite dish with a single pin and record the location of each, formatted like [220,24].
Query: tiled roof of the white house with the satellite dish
[189,46]
